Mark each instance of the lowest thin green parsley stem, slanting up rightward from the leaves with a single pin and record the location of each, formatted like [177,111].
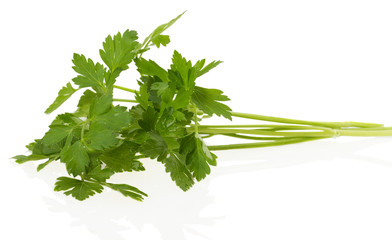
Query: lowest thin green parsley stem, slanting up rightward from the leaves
[260,144]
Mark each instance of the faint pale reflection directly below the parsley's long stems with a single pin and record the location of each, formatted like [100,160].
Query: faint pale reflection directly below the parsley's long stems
[297,154]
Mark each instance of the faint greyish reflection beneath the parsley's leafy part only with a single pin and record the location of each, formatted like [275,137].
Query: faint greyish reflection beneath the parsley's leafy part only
[170,212]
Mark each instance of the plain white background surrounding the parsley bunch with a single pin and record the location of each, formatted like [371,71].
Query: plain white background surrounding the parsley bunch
[315,60]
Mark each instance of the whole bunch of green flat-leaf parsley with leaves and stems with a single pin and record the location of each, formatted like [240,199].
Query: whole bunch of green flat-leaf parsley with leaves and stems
[101,138]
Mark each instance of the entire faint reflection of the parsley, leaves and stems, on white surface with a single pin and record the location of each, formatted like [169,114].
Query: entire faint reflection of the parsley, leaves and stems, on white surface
[168,212]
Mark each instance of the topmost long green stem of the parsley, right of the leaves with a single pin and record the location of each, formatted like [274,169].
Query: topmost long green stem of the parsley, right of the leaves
[303,122]
